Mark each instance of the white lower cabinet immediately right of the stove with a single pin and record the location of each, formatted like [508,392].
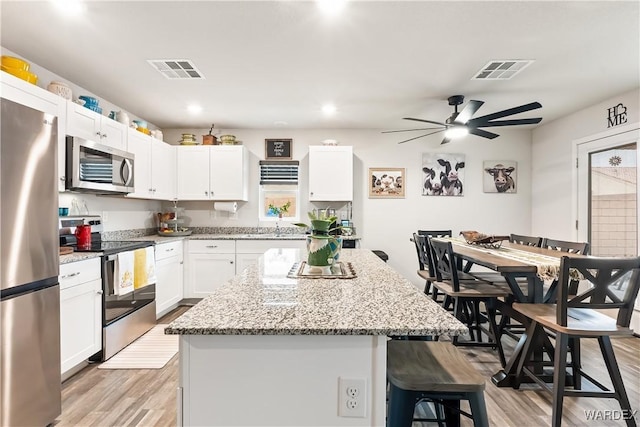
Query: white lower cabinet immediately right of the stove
[169,275]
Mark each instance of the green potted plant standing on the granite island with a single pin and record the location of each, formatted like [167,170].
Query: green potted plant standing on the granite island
[322,247]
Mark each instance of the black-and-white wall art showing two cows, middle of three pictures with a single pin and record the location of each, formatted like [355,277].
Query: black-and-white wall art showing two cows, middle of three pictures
[443,174]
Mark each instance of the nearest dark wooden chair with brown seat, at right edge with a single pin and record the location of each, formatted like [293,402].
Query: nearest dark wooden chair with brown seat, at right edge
[575,317]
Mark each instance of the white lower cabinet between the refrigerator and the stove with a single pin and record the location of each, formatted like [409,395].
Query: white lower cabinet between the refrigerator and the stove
[80,312]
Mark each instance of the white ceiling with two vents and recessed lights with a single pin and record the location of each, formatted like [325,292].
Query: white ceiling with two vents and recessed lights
[266,62]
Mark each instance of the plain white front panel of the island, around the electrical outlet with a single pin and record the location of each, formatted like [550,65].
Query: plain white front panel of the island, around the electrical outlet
[299,388]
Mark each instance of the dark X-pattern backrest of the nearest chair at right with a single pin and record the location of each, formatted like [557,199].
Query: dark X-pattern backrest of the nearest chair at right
[601,275]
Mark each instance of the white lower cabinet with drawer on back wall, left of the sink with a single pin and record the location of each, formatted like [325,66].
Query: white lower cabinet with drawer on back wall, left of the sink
[211,263]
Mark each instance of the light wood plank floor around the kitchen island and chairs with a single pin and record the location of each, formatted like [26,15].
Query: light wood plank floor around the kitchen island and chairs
[147,397]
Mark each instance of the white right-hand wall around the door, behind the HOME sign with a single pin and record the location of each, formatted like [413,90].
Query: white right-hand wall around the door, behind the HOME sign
[552,200]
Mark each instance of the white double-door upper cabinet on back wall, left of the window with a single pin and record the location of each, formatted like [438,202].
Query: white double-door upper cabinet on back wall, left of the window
[218,172]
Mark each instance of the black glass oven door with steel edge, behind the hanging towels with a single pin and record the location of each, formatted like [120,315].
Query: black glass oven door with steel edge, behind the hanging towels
[119,306]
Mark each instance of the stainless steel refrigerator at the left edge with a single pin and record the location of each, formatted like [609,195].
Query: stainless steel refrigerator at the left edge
[29,264]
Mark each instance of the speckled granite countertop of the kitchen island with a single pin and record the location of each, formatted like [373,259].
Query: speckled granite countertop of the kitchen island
[263,301]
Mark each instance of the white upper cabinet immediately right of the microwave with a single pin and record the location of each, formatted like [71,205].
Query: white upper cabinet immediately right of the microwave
[154,167]
